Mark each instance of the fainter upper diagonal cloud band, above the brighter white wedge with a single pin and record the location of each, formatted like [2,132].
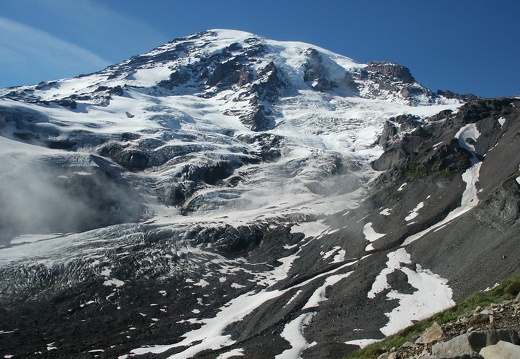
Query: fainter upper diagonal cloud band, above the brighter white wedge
[102,27]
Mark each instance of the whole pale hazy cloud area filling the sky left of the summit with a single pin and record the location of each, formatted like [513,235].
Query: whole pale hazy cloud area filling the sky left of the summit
[52,39]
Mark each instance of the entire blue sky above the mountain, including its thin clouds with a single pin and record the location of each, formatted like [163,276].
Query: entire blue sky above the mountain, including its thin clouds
[466,46]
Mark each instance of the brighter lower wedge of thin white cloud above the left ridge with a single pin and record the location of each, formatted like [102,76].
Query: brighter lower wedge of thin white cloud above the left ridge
[27,53]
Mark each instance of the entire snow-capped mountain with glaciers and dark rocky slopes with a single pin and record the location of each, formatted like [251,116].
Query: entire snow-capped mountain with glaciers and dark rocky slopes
[226,195]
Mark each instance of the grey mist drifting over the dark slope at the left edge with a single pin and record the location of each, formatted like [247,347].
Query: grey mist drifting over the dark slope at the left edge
[52,195]
